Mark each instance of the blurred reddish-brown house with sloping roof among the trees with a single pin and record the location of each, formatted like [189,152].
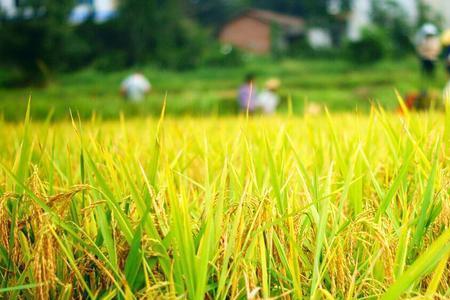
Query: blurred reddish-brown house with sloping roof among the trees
[261,32]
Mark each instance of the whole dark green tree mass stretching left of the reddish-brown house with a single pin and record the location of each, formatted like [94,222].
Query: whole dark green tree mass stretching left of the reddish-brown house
[34,46]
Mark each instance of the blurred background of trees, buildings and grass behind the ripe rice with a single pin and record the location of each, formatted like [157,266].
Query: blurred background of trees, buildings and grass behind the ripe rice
[74,54]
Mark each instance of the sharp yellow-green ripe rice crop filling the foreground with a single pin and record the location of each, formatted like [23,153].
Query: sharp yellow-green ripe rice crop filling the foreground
[338,206]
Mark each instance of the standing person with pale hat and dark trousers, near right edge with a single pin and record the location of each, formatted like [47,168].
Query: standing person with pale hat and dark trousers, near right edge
[428,48]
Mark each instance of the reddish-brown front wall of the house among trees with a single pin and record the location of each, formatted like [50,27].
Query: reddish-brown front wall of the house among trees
[249,34]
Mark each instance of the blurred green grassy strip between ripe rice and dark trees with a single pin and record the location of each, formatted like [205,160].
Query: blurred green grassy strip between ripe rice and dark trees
[340,85]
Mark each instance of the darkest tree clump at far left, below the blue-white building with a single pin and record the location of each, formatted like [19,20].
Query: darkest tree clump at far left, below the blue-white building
[35,42]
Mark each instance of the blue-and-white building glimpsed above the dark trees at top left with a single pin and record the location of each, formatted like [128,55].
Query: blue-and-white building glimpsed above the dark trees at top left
[100,9]
